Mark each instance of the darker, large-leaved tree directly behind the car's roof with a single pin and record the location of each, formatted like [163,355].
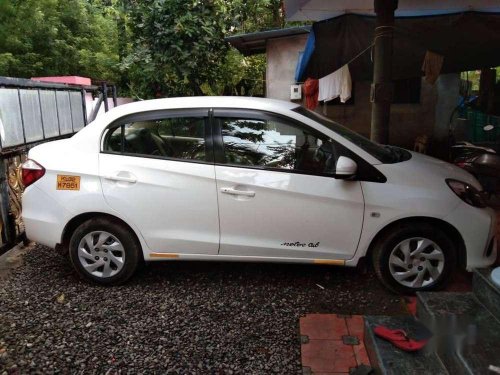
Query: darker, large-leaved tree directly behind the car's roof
[178,47]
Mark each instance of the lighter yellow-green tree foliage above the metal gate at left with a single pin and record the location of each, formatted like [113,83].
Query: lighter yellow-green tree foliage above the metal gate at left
[58,37]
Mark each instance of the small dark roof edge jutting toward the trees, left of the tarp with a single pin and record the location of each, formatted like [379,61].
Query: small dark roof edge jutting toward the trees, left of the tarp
[255,43]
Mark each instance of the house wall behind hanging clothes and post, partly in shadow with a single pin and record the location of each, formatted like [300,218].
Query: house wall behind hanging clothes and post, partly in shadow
[408,121]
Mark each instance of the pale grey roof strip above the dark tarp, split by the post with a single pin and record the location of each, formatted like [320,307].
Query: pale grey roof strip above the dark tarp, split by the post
[318,10]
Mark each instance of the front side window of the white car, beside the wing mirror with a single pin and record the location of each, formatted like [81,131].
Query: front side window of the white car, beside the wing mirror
[277,144]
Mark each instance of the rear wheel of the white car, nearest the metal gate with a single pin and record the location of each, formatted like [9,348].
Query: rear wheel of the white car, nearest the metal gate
[104,251]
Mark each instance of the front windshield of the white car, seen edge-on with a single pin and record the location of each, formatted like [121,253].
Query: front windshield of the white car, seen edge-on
[386,154]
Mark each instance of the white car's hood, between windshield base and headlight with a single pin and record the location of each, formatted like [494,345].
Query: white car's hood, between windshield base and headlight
[425,170]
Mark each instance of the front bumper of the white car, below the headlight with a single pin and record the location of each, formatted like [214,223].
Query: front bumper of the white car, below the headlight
[478,229]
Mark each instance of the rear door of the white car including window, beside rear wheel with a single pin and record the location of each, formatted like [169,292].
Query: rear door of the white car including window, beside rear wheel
[157,171]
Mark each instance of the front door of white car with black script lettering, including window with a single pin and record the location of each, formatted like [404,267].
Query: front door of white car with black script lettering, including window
[278,196]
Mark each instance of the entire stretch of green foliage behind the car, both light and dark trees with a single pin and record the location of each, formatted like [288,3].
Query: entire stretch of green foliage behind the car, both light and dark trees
[151,48]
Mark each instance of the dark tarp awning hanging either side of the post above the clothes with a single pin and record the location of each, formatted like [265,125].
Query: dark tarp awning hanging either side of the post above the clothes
[467,41]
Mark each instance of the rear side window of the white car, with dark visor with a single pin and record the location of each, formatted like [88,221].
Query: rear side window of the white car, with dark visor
[176,137]
